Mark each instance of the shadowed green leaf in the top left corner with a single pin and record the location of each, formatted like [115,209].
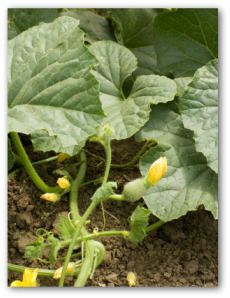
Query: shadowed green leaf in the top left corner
[21,19]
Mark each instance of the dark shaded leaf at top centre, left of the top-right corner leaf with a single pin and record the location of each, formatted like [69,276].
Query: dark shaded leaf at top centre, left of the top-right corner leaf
[134,29]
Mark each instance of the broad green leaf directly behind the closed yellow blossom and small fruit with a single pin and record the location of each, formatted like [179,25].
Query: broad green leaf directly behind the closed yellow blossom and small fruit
[189,182]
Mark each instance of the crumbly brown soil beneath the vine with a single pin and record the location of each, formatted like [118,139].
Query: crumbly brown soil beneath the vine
[180,254]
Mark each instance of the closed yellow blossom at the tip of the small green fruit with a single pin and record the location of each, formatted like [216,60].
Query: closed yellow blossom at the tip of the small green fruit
[157,170]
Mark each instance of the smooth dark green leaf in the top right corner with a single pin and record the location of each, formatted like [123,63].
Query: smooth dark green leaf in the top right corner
[185,40]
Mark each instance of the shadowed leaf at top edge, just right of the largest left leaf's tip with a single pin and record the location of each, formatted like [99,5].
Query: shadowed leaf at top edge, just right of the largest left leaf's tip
[96,27]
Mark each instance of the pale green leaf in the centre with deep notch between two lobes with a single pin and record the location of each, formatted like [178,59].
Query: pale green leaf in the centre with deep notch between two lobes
[127,115]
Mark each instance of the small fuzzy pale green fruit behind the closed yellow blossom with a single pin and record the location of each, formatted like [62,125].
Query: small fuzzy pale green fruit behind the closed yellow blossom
[134,190]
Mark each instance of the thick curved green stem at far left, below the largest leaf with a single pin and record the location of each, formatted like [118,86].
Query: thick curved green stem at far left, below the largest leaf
[29,167]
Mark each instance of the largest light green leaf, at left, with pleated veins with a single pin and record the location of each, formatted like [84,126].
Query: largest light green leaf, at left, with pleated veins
[51,91]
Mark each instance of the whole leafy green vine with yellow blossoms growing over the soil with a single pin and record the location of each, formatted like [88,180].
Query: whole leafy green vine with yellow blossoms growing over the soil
[78,75]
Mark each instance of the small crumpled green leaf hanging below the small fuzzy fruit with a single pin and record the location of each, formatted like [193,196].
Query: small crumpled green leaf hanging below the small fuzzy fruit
[138,222]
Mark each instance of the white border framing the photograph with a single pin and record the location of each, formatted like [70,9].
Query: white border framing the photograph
[224,129]
